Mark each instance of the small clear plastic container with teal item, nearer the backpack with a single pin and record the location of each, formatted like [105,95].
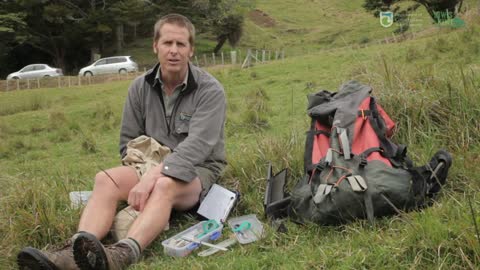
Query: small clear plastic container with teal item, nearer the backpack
[254,231]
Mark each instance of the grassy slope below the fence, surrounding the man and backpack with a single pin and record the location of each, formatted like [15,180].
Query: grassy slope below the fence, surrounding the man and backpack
[53,141]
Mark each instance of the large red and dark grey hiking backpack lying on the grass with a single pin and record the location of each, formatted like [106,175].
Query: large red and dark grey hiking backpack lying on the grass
[352,169]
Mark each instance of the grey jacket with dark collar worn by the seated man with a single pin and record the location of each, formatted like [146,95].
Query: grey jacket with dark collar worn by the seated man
[196,130]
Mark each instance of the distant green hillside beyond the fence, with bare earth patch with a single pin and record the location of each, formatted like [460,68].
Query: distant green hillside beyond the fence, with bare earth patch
[302,27]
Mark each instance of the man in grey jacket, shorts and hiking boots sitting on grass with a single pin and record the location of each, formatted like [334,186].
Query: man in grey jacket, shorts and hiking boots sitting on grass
[182,108]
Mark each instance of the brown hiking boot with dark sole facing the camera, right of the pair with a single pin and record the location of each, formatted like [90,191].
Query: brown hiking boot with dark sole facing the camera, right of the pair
[90,254]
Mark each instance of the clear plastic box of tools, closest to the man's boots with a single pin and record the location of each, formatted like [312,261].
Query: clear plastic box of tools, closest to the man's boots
[177,247]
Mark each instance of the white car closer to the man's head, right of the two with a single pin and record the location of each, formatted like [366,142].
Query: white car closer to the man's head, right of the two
[115,64]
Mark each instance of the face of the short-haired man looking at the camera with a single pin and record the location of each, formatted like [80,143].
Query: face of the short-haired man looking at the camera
[173,49]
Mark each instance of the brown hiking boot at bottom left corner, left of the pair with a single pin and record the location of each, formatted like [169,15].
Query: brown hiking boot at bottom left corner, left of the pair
[61,259]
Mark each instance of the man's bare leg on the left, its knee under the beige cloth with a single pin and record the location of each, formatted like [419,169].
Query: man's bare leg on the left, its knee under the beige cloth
[98,215]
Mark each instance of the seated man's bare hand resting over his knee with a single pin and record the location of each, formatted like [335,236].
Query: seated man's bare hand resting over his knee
[138,195]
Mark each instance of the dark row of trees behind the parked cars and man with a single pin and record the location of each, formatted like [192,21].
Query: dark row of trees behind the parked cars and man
[67,33]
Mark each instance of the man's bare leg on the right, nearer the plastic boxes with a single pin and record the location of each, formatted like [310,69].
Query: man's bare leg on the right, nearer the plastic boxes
[167,194]
